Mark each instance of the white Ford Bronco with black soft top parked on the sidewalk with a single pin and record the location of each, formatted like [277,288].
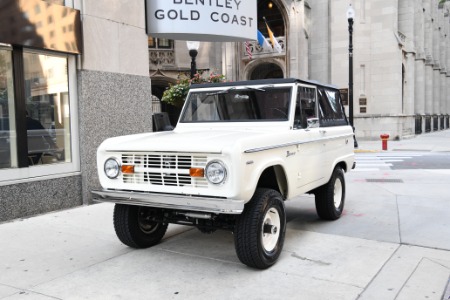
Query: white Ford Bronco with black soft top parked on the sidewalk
[239,150]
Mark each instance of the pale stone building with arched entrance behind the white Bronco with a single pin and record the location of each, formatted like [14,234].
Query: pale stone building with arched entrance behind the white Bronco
[401,58]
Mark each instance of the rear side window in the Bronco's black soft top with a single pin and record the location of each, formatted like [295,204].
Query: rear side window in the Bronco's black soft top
[330,108]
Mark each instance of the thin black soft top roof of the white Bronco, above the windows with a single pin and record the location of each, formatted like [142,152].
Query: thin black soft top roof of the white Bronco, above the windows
[261,82]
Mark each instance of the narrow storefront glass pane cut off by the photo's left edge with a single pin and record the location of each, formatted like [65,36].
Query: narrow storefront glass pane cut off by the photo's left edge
[8,146]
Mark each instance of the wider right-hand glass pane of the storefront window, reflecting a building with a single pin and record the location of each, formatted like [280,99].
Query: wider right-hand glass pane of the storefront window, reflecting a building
[47,108]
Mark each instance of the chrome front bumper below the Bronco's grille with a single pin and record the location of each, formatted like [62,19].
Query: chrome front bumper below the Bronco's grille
[180,202]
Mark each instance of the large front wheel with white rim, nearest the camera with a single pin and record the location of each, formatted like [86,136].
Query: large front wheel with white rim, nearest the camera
[260,229]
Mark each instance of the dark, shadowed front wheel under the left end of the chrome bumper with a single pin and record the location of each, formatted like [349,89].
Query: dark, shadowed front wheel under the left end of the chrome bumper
[135,226]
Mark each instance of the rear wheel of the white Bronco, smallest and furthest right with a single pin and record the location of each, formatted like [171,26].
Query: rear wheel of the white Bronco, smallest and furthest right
[330,197]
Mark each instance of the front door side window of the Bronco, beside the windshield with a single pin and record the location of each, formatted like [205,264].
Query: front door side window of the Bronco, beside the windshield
[305,108]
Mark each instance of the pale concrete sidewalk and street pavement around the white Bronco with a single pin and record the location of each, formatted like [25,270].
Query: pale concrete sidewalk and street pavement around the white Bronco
[391,243]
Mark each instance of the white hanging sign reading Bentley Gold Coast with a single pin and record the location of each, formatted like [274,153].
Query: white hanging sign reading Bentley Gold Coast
[202,20]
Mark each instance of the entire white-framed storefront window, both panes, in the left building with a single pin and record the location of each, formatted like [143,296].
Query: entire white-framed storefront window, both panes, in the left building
[47,132]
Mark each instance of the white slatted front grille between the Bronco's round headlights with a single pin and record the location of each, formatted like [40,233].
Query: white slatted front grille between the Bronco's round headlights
[169,169]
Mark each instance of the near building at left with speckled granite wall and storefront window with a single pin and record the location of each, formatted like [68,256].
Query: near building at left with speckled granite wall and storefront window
[82,89]
